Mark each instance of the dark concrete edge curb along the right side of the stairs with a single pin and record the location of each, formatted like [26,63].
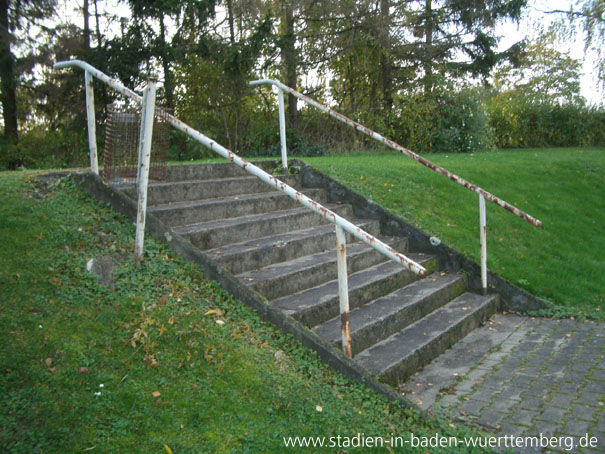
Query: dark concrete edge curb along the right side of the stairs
[512,297]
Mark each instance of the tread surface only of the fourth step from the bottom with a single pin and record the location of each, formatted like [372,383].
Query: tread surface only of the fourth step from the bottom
[278,270]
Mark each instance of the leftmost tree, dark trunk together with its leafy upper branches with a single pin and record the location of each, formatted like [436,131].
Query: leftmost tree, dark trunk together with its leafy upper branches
[15,15]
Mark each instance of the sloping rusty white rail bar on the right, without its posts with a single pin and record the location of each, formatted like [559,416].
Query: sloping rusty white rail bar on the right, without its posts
[425,162]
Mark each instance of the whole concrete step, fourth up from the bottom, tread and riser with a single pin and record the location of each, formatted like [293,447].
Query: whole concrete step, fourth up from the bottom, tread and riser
[281,279]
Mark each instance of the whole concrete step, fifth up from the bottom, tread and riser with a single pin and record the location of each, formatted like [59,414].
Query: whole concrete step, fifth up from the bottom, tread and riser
[260,252]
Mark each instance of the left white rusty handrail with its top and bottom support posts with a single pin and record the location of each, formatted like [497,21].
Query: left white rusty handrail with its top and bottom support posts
[341,224]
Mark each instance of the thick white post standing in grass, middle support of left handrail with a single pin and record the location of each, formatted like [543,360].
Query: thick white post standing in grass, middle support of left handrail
[147,116]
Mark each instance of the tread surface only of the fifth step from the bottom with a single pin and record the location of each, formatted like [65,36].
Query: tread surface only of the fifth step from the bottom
[280,240]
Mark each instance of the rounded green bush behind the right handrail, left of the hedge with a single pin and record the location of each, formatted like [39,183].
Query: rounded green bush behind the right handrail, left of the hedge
[444,120]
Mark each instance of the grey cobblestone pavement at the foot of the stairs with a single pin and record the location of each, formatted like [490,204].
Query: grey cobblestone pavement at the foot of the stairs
[522,376]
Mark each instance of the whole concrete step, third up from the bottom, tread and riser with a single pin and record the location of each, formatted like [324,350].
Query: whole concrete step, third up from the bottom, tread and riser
[318,304]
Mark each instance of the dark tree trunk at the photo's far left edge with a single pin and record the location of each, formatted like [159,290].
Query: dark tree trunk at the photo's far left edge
[7,77]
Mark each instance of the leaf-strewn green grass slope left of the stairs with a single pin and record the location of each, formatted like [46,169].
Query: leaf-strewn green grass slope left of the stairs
[81,366]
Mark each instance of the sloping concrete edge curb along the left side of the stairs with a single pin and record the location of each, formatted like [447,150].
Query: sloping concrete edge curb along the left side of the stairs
[94,186]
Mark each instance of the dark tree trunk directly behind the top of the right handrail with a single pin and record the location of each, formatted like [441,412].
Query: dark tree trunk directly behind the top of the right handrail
[288,54]
